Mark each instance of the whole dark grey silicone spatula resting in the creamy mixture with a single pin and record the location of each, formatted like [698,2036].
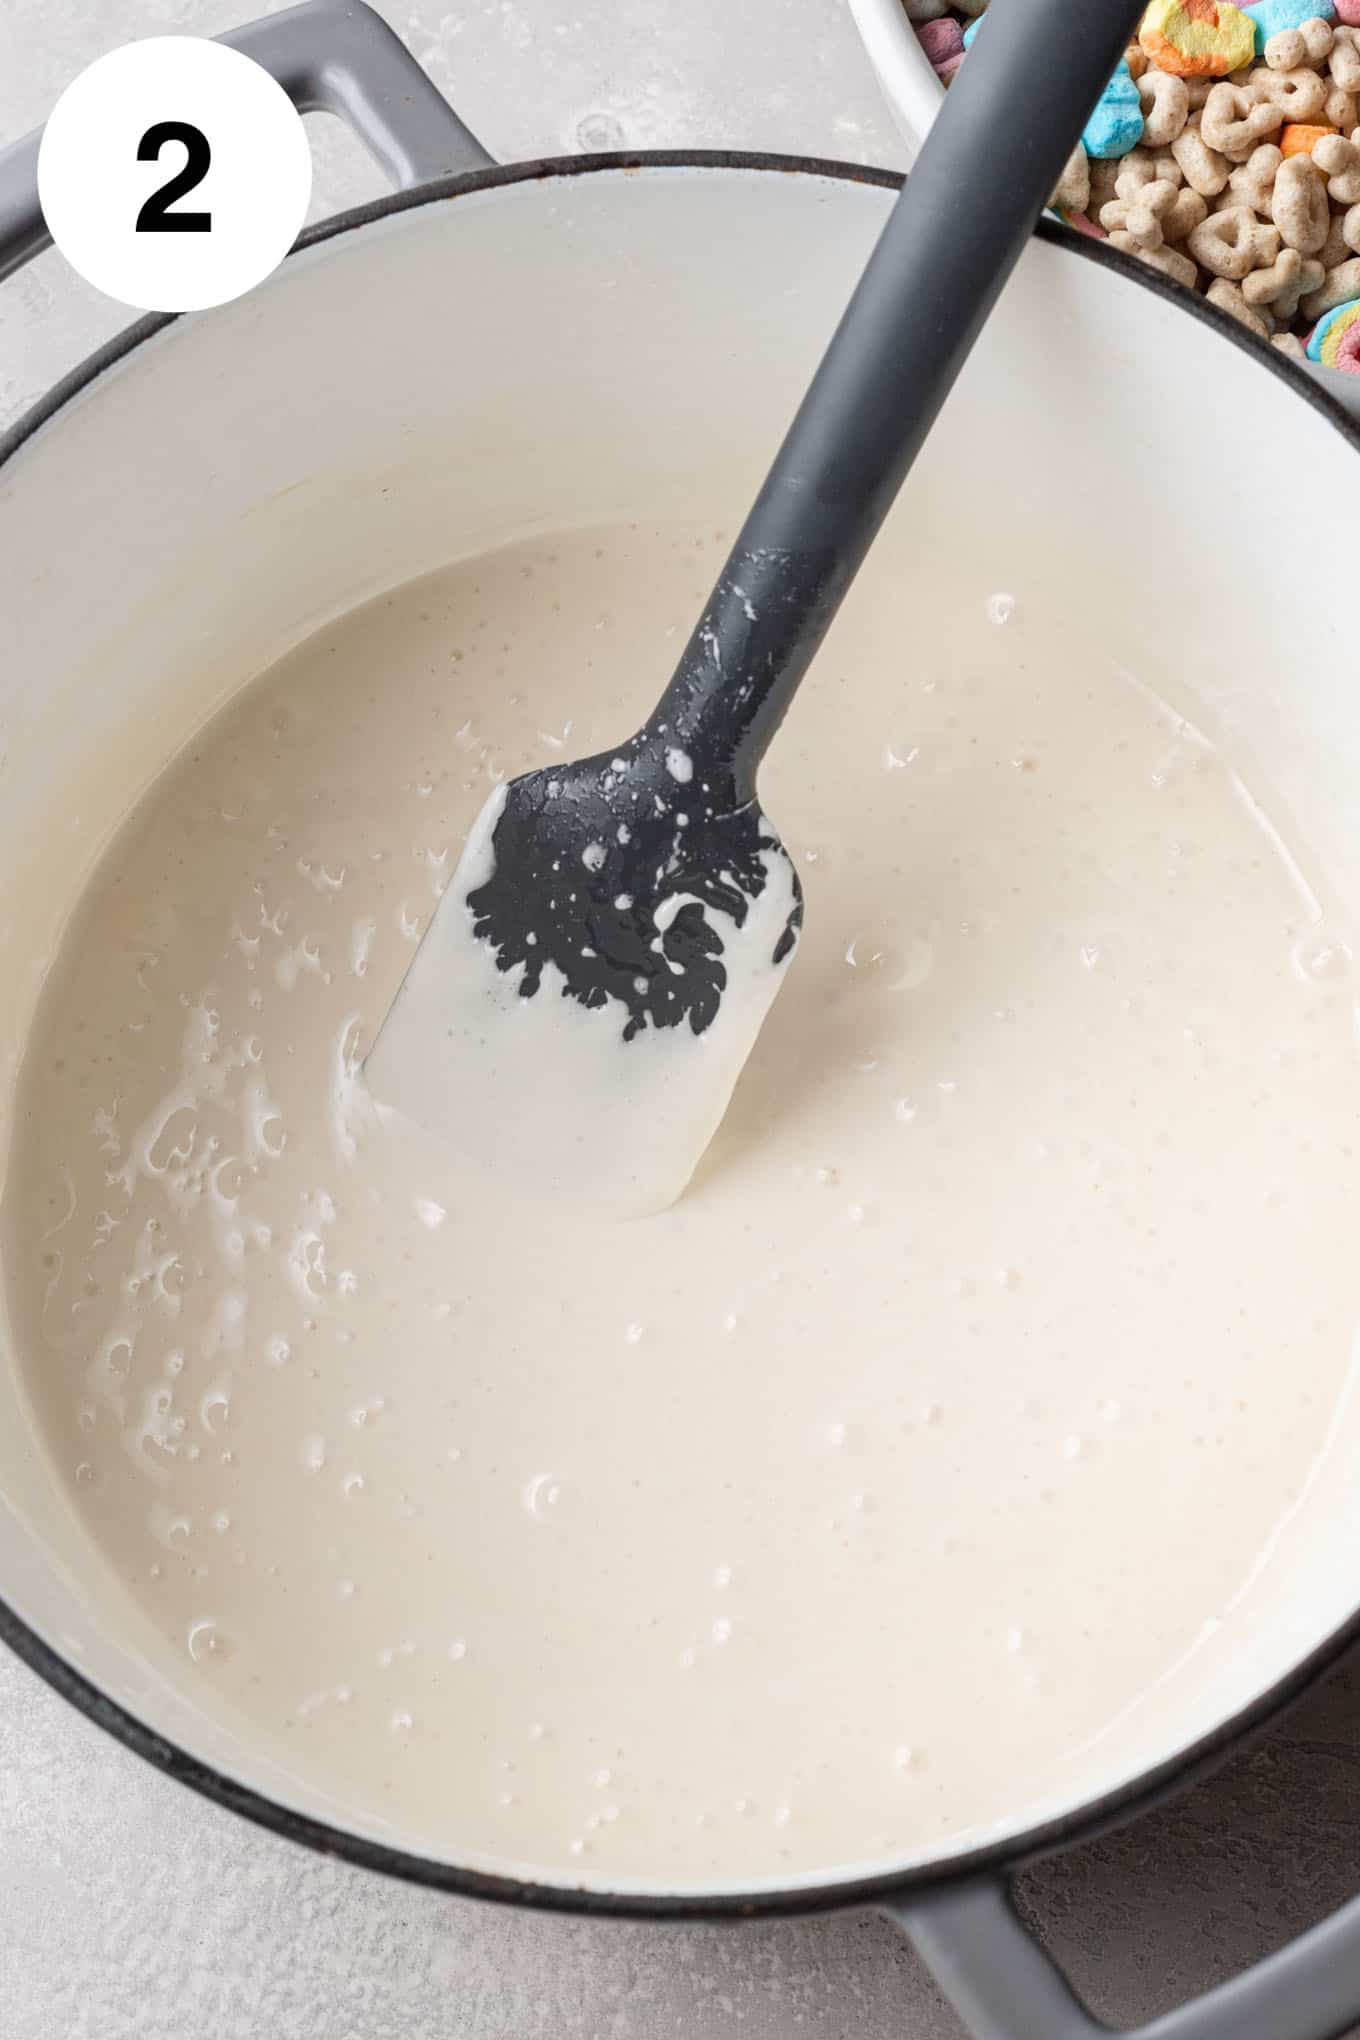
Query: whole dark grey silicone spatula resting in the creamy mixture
[619,927]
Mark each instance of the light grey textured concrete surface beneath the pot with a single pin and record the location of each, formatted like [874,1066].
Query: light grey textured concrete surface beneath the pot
[132,1910]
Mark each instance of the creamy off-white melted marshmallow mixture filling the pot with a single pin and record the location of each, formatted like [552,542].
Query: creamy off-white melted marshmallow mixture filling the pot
[851,1507]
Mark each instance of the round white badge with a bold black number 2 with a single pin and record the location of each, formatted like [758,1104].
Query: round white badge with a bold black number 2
[174,174]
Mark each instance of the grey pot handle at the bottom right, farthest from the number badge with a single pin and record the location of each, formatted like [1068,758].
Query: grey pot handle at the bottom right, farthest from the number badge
[1006,1988]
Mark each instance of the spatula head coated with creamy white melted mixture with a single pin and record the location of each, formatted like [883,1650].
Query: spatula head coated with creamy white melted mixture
[596,976]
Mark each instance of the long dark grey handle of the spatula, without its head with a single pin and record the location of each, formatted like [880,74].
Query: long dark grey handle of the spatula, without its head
[984,178]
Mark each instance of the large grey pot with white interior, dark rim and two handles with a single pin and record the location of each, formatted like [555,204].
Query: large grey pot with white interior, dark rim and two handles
[492,352]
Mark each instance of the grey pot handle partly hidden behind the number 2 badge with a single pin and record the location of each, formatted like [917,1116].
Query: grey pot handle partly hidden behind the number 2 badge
[331,56]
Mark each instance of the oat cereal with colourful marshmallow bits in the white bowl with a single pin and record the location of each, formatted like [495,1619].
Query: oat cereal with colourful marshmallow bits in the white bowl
[1226,154]
